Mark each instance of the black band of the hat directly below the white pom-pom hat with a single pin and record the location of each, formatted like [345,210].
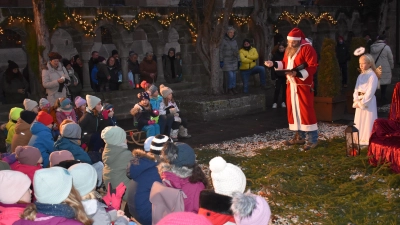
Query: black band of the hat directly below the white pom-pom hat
[216,202]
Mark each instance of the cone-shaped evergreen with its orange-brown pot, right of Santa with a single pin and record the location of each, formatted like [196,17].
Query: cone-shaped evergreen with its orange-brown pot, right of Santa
[329,104]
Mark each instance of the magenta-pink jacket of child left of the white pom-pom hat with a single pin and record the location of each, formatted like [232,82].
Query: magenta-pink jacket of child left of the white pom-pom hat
[192,191]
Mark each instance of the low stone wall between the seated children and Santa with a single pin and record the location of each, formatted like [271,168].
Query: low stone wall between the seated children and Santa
[210,110]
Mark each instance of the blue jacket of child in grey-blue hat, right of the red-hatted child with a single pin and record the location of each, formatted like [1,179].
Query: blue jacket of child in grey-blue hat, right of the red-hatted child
[76,150]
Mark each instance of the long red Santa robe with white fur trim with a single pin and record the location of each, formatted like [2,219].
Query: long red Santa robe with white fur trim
[299,91]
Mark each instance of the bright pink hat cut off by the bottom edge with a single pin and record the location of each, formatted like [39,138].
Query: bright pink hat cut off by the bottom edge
[184,218]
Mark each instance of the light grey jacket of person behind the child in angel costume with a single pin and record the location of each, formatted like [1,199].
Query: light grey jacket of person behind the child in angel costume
[385,60]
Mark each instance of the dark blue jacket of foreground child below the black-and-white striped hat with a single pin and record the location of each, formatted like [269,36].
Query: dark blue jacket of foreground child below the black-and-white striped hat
[143,172]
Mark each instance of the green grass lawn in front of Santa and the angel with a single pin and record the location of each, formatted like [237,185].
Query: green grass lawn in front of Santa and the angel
[321,185]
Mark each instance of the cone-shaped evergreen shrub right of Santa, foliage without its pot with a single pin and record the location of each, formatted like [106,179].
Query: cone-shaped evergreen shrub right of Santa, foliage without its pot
[328,72]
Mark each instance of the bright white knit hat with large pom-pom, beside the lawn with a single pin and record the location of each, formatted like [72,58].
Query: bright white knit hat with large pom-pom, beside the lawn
[226,177]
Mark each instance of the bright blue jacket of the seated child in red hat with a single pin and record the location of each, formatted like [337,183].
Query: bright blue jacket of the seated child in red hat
[43,140]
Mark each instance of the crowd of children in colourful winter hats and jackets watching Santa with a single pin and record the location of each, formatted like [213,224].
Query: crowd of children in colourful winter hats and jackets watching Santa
[58,158]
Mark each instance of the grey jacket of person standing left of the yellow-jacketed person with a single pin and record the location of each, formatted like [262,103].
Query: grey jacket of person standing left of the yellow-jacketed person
[229,53]
